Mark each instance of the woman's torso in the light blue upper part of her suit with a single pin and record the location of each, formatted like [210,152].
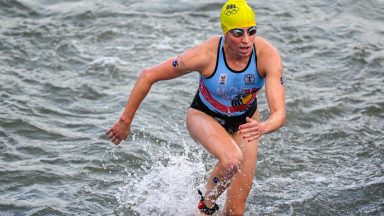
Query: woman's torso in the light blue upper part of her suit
[228,90]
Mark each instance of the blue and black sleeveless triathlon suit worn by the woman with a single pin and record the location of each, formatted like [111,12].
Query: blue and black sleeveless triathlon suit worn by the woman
[227,95]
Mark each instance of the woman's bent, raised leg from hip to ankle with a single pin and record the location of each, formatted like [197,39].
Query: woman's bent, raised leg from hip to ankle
[209,133]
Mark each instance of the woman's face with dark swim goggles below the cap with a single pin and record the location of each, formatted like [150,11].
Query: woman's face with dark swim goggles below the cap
[240,40]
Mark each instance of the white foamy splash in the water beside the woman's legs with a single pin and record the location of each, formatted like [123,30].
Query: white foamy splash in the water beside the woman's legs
[168,188]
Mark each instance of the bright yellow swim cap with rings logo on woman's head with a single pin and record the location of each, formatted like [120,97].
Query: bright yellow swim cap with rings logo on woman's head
[236,14]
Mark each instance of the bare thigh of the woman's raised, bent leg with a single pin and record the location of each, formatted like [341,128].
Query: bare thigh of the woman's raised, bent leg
[206,131]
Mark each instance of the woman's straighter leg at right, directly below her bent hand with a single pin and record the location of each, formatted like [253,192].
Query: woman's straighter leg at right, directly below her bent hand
[241,184]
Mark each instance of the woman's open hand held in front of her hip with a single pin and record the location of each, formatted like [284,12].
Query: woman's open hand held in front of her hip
[252,130]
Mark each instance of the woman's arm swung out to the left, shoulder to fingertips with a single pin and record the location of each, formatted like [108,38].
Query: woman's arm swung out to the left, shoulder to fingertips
[194,59]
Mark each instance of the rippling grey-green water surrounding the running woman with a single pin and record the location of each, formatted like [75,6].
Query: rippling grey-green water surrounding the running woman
[66,68]
